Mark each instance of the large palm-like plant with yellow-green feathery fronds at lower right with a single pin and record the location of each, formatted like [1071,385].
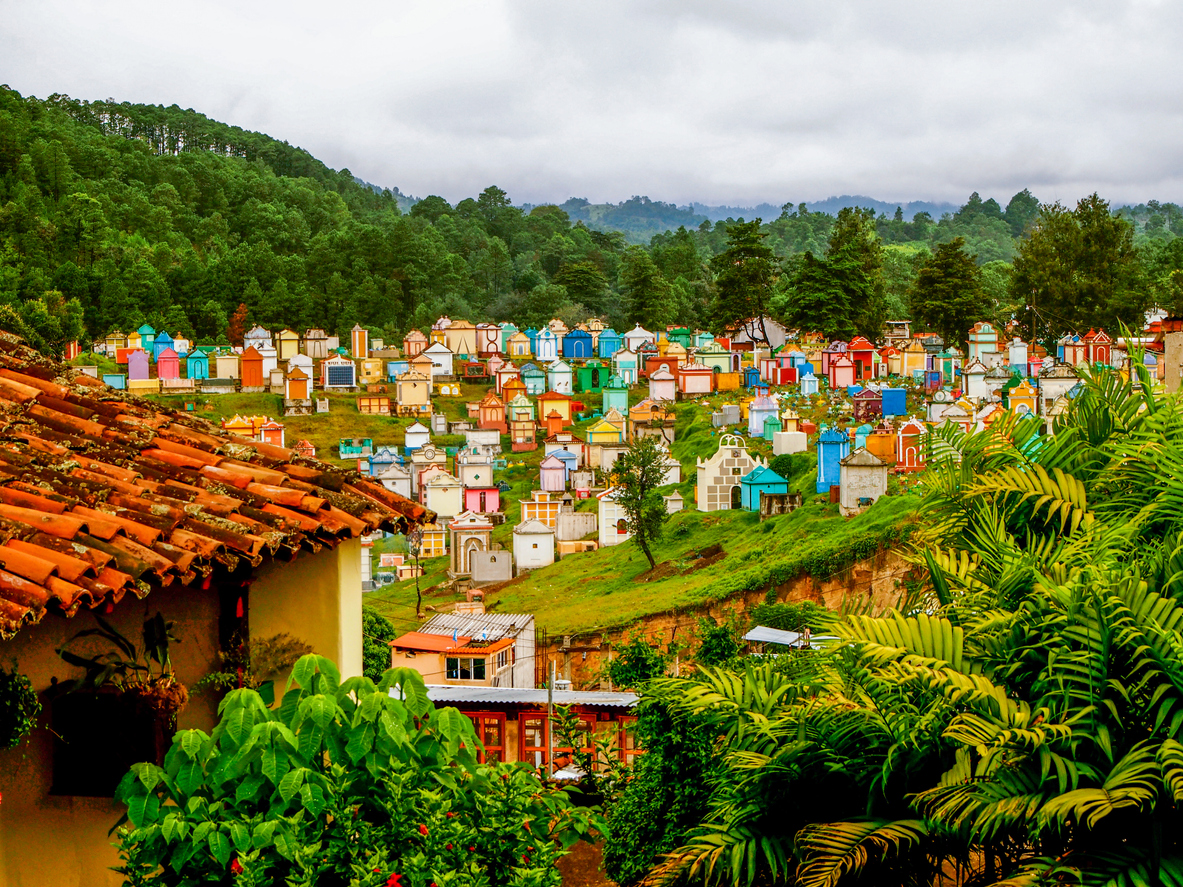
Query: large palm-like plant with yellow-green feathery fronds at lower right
[1024,726]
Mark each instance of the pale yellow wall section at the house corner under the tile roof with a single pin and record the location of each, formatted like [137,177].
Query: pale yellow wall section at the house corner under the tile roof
[319,600]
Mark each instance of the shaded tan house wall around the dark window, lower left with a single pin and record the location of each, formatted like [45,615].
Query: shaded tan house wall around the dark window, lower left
[63,841]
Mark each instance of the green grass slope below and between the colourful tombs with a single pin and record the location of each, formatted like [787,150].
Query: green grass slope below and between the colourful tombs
[607,588]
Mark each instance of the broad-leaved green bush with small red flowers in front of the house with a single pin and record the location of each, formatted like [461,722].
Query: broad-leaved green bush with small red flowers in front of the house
[342,785]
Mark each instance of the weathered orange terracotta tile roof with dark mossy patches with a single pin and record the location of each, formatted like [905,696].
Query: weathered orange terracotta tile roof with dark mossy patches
[104,495]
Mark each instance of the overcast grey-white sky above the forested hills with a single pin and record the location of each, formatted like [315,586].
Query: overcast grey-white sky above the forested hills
[727,102]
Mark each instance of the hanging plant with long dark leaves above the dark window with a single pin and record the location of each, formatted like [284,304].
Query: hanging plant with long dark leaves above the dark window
[143,674]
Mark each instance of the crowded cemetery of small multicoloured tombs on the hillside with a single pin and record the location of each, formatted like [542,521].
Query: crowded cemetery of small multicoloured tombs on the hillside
[509,437]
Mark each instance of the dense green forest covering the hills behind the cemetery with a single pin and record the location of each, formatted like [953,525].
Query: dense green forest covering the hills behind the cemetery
[114,215]
